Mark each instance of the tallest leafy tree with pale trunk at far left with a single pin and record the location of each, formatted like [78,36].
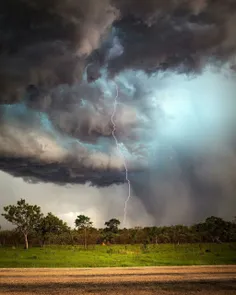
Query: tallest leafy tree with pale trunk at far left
[26,217]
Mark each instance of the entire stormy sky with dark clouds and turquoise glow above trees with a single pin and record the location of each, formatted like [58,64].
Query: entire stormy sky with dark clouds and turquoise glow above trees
[171,68]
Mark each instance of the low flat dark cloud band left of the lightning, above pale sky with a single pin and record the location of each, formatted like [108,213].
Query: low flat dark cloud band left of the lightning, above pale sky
[34,171]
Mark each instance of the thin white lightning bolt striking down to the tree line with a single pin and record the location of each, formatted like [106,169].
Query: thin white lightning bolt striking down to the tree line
[120,152]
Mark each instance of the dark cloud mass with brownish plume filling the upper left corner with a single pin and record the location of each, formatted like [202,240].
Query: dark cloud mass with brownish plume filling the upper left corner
[45,42]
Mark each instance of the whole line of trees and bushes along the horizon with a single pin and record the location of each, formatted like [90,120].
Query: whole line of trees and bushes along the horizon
[31,225]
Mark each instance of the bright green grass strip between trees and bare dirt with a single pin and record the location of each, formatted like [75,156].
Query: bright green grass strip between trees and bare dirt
[119,255]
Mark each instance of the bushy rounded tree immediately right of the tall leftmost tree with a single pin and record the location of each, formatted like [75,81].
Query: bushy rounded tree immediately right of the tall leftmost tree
[50,224]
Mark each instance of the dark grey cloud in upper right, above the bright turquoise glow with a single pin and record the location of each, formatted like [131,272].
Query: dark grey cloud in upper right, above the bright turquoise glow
[178,35]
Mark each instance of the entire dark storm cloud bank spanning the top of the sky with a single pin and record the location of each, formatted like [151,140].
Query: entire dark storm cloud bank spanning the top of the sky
[45,43]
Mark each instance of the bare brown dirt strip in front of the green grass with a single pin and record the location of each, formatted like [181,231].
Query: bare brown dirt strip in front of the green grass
[199,280]
